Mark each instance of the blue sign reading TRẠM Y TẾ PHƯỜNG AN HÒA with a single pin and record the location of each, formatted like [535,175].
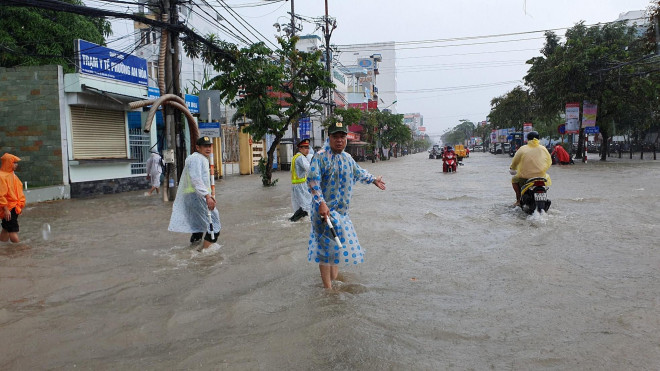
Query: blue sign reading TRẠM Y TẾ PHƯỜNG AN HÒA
[101,61]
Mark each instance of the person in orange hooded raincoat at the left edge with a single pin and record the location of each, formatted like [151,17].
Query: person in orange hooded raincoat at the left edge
[12,198]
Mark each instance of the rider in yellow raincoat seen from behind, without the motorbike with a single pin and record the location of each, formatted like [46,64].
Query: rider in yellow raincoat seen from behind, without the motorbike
[530,161]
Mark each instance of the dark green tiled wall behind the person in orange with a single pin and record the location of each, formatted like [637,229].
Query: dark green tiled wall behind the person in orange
[30,122]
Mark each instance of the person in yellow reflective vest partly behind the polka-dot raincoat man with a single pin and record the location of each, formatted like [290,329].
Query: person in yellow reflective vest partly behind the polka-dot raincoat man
[301,199]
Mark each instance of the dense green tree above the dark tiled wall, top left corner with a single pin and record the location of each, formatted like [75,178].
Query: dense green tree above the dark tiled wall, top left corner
[33,37]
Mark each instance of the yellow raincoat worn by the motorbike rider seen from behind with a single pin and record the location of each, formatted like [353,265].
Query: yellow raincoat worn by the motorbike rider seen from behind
[531,161]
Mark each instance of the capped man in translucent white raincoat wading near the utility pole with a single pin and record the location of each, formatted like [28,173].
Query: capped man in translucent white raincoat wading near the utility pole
[194,208]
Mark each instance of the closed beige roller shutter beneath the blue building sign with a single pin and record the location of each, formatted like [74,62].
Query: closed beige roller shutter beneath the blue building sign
[98,133]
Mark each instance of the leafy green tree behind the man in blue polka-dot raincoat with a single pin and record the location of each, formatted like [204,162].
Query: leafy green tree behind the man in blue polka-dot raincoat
[272,88]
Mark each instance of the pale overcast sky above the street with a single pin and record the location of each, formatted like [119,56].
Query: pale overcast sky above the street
[459,77]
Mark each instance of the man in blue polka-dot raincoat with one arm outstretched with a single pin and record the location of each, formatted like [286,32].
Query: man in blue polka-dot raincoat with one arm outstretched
[332,177]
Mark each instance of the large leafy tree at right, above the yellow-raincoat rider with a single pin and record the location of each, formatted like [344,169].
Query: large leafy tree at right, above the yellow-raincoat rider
[603,64]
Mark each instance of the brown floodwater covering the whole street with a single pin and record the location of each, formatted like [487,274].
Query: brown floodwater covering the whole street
[453,279]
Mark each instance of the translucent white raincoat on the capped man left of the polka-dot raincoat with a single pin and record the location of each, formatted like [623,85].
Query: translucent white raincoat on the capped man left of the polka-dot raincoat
[189,212]
